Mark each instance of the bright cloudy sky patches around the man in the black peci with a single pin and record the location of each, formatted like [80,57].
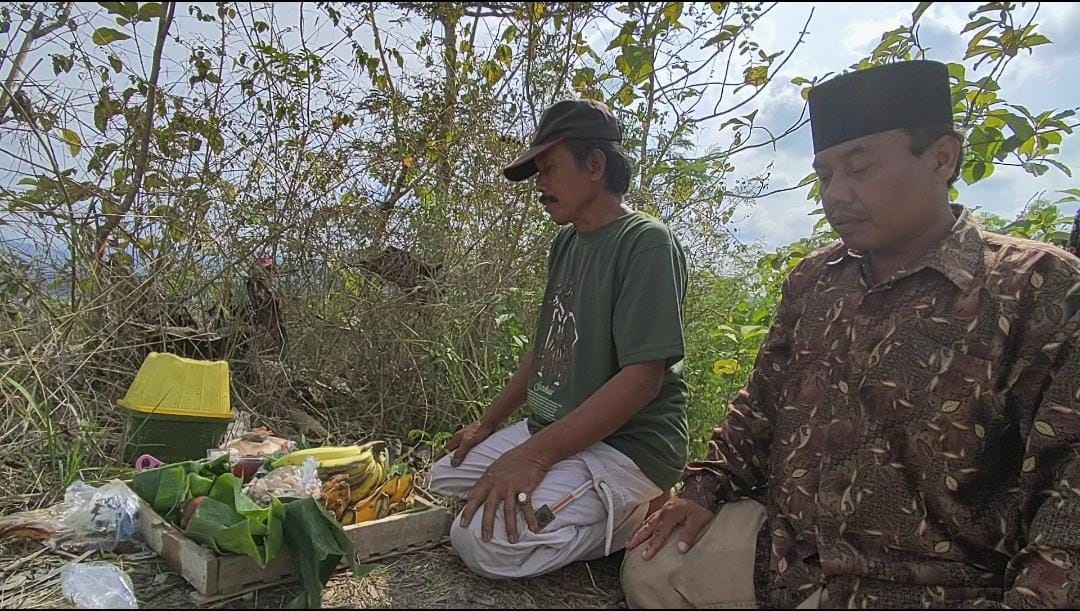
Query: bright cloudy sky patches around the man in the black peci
[841,35]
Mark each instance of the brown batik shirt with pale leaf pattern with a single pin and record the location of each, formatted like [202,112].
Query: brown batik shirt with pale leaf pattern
[915,441]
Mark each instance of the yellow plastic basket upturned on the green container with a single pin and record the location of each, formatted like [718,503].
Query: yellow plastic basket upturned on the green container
[168,385]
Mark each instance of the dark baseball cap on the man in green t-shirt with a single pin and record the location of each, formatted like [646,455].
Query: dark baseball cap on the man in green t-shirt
[584,119]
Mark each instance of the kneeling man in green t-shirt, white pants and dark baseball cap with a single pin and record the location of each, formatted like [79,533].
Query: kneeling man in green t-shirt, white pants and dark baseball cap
[607,430]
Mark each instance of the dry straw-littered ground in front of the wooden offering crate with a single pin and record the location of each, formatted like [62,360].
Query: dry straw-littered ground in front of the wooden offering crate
[433,579]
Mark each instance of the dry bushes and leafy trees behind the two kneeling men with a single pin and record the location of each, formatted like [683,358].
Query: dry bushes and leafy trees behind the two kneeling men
[154,151]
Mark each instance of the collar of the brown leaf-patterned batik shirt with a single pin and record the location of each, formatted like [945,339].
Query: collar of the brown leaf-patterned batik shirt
[960,257]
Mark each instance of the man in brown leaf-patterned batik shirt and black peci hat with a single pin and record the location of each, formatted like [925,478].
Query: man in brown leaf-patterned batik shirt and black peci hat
[911,433]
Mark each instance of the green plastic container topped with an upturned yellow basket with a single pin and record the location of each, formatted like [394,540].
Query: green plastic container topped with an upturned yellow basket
[177,409]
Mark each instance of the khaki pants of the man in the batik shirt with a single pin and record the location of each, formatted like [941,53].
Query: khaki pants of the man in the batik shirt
[717,573]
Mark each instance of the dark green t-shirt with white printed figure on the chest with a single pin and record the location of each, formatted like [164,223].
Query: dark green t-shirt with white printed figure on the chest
[615,298]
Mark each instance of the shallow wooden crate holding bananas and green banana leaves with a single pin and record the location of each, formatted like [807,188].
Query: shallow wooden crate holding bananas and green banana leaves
[214,576]
